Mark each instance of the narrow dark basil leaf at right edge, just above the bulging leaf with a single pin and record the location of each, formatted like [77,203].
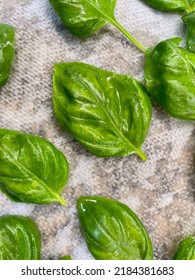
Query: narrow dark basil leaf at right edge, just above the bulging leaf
[189,20]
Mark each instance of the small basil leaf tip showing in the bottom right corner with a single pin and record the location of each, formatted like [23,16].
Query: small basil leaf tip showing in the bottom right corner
[186,249]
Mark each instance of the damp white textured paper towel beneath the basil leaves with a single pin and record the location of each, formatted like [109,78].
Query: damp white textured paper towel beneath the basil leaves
[160,190]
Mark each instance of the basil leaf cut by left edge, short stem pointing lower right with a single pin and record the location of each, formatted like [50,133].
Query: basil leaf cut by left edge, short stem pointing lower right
[32,170]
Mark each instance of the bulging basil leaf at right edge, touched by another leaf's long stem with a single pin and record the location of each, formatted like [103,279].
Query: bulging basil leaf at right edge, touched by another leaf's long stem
[170,78]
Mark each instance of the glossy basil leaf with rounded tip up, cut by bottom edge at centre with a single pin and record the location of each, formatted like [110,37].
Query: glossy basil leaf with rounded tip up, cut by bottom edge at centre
[112,230]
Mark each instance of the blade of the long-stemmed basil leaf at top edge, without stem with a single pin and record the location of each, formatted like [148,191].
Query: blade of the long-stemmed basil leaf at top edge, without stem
[84,17]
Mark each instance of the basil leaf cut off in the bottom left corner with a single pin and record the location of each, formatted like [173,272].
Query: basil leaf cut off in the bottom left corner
[19,238]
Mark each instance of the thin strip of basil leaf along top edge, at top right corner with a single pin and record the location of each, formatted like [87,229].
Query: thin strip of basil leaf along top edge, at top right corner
[172,5]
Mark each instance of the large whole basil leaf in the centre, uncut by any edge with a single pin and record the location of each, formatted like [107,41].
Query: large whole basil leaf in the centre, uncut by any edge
[106,112]
